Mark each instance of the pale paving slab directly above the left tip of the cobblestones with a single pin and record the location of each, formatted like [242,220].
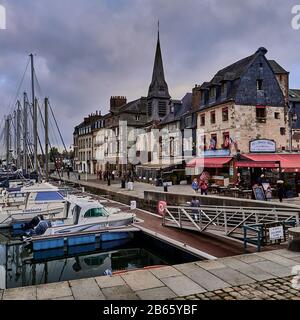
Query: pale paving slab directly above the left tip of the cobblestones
[183,285]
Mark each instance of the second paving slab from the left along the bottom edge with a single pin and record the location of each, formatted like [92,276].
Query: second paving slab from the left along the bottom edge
[53,290]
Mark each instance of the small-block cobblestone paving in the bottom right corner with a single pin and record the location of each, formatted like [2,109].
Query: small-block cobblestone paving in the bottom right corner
[274,289]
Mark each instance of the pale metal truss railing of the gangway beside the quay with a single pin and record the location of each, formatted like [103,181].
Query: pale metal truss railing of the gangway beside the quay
[226,220]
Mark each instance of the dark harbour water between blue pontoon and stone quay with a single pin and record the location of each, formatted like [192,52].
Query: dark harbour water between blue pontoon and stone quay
[20,266]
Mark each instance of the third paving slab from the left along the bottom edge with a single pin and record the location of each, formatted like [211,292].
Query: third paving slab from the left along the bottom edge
[86,289]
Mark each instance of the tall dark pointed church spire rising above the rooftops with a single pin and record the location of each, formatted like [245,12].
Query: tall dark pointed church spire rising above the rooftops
[158,87]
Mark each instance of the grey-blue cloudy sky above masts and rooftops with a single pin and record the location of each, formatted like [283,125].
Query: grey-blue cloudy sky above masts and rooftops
[87,51]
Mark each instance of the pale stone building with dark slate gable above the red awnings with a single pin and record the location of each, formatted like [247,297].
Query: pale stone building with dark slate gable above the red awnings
[244,101]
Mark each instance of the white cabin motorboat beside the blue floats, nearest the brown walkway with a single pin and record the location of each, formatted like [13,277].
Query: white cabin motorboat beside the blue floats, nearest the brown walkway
[87,215]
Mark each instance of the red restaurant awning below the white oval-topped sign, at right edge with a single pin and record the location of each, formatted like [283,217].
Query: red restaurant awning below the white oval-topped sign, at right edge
[288,162]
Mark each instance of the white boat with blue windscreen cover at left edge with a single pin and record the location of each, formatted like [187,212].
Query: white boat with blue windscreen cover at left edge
[29,201]
